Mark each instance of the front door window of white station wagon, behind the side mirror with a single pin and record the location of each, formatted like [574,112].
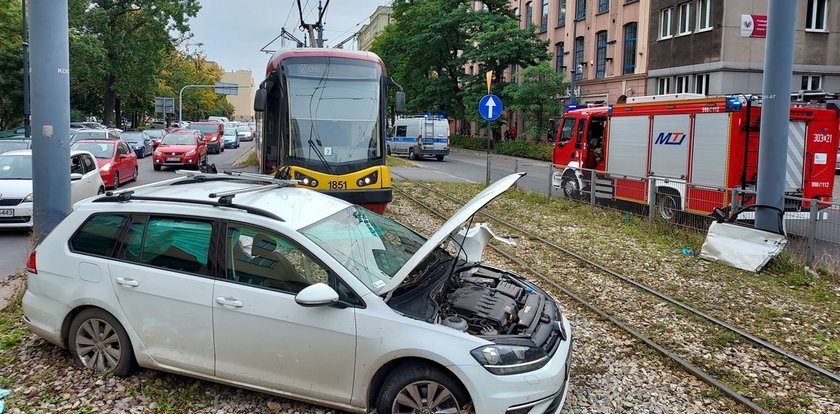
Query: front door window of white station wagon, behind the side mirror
[264,259]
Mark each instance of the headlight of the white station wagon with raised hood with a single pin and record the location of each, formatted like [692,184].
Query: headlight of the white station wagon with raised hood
[510,359]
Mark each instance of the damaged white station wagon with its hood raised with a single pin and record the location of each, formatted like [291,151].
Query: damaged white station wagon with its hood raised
[298,294]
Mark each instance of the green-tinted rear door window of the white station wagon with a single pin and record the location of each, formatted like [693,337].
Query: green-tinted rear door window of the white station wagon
[181,244]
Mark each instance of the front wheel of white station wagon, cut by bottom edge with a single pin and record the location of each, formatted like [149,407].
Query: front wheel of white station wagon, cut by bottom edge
[421,389]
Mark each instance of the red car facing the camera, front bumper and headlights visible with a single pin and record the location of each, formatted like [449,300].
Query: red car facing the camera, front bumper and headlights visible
[181,147]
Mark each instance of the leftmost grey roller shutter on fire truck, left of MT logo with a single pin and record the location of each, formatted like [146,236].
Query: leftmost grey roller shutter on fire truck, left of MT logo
[628,139]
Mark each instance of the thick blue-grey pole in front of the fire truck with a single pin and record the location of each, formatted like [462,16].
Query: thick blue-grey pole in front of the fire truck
[775,113]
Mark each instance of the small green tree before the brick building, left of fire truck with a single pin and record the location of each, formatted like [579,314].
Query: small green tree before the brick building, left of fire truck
[536,96]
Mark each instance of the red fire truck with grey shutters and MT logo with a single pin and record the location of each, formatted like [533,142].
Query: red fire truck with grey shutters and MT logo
[691,149]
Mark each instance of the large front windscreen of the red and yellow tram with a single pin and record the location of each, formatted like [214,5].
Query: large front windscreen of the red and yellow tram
[334,111]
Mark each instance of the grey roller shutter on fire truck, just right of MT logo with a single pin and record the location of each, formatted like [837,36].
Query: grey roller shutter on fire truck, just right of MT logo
[709,156]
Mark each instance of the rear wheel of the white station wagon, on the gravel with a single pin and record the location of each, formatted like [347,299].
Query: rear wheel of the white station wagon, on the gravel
[97,341]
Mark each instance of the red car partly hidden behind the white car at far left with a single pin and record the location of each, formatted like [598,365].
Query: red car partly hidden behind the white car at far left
[117,161]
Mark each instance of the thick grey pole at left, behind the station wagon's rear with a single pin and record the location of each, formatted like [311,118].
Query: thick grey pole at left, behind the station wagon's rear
[50,115]
